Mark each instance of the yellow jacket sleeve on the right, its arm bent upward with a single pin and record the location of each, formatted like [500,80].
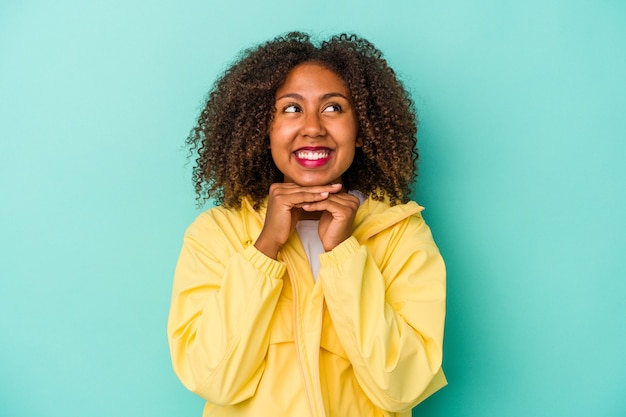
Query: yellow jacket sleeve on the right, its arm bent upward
[387,302]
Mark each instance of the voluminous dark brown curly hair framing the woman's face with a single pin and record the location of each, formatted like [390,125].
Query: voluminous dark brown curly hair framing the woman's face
[231,135]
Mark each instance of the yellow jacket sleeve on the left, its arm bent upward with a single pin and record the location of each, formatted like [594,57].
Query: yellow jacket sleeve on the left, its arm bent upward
[223,299]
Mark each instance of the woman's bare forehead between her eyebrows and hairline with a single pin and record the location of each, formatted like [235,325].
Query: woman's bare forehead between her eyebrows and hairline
[312,77]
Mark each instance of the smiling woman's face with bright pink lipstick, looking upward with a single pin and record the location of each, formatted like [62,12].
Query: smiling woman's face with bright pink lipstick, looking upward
[313,134]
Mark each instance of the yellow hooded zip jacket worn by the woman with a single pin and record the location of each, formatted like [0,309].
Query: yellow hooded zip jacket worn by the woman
[260,337]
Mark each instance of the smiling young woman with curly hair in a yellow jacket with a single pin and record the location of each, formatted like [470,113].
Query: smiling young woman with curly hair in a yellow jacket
[314,287]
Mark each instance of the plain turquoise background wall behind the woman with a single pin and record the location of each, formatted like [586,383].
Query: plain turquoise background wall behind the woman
[523,137]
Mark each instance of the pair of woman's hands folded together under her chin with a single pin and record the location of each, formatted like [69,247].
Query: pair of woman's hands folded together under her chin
[289,202]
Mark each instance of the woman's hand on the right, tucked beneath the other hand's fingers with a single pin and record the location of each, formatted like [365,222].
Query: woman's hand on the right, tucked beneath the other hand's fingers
[338,213]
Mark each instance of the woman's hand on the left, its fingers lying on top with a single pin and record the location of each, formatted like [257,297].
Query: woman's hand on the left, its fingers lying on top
[284,201]
